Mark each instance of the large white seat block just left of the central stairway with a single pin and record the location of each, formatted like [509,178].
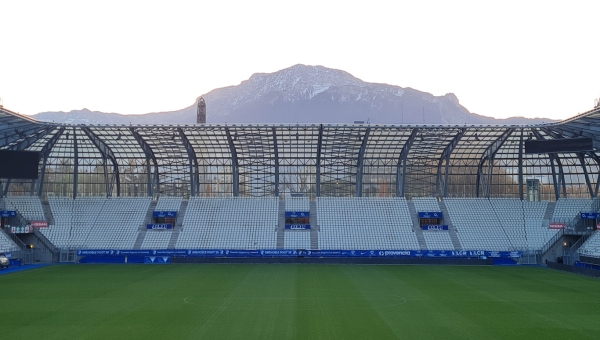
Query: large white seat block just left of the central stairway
[232,223]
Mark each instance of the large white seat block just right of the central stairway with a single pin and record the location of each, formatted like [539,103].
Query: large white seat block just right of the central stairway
[365,223]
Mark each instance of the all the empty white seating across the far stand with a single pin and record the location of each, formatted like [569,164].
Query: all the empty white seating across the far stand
[344,223]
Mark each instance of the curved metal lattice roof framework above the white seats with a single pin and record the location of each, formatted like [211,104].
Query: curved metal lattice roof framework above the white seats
[315,160]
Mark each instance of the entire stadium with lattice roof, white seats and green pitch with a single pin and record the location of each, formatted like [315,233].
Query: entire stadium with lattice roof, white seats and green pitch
[481,211]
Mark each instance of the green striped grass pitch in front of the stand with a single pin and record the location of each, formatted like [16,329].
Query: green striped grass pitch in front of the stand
[297,302]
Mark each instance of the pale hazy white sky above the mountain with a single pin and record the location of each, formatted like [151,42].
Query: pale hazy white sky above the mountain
[501,58]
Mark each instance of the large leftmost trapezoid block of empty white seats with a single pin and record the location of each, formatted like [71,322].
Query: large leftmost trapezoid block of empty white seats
[96,223]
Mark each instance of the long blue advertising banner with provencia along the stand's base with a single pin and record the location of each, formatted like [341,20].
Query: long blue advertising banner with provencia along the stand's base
[303,253]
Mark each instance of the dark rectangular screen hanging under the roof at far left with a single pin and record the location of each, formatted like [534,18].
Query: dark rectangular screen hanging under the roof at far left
[19,164]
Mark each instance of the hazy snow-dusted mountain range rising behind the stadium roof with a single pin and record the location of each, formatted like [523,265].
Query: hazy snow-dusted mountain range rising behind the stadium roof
[305,94]
